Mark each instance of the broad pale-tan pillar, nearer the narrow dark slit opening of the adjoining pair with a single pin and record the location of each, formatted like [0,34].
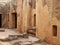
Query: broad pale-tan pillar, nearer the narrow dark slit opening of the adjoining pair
[26,15]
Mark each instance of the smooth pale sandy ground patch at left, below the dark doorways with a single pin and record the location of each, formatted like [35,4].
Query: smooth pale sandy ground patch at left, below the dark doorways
[7,32]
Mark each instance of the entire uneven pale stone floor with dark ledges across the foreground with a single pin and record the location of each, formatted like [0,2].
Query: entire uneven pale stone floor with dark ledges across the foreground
[17,39]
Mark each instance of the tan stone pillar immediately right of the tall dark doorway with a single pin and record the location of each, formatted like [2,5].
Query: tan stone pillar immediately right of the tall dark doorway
[19,15]
